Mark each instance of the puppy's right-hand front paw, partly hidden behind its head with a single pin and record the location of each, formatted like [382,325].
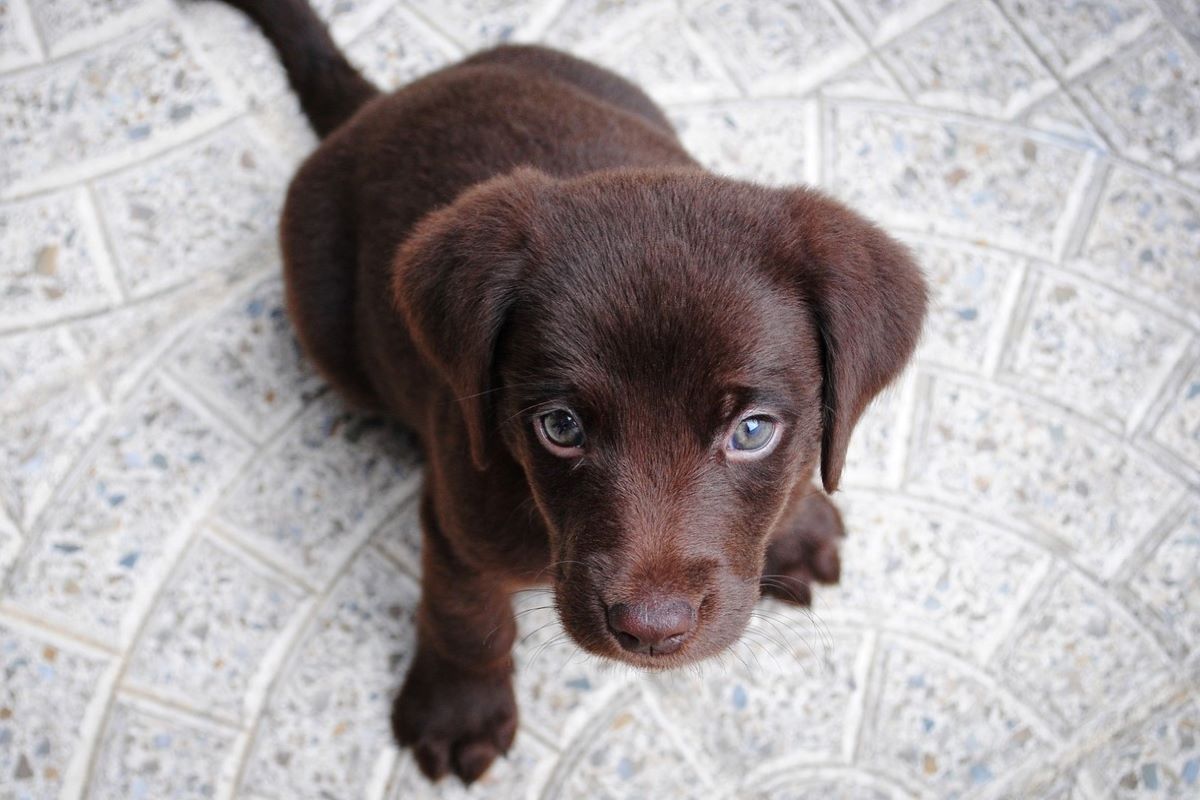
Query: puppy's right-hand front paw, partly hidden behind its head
[805,552]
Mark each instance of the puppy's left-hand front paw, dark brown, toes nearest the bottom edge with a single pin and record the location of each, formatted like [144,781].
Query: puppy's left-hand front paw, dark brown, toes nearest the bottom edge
[455,720]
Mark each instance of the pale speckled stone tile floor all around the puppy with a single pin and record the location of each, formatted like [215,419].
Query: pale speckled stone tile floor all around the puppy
[209,568]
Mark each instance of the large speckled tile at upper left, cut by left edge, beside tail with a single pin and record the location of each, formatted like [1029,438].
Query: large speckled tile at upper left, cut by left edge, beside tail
[105,107]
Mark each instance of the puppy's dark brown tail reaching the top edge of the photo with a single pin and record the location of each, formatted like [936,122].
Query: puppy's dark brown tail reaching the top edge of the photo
[331,89]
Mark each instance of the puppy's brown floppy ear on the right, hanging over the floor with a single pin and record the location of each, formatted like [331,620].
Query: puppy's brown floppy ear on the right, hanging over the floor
[869,300]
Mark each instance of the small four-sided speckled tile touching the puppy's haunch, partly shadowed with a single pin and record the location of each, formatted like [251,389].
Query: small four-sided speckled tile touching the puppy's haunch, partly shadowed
[248,360]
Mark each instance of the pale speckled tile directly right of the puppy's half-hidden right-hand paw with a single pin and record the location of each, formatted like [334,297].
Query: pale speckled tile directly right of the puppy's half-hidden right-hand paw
[919,568]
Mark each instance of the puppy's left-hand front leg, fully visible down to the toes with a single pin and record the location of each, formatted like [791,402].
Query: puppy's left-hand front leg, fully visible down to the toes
[457,709]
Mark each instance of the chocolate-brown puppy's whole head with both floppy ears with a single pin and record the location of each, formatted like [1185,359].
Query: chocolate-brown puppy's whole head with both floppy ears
[667,356]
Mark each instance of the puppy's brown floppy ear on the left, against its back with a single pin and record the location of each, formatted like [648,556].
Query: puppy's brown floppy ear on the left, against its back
[457,278]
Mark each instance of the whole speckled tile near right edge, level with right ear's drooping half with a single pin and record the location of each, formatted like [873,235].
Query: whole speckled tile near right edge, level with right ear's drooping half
[1105,356]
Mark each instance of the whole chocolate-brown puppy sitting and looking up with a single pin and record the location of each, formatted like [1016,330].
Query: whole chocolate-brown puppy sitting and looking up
[623,370]
